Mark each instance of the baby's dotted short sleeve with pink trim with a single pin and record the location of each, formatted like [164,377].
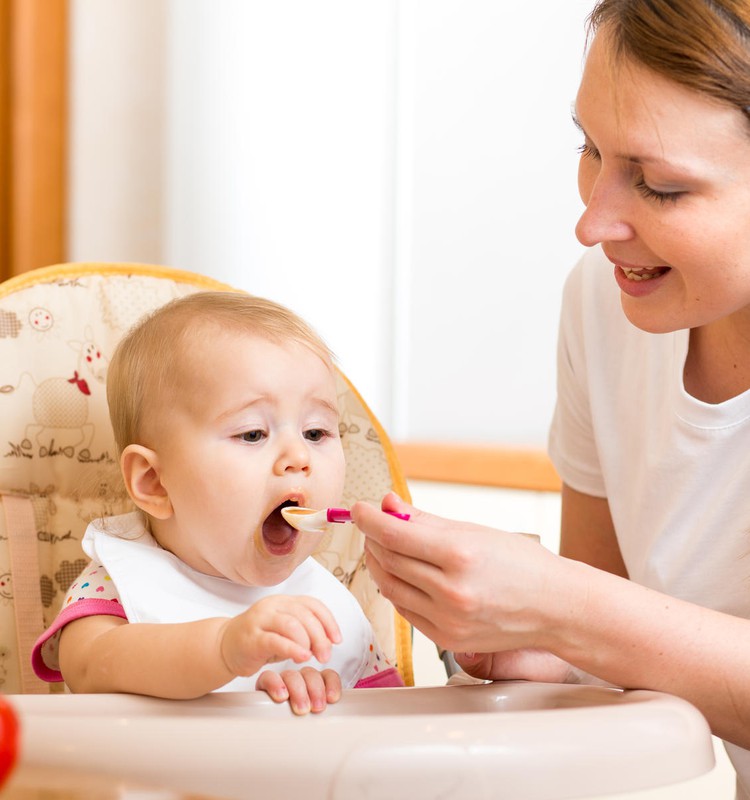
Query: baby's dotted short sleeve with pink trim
[92,593]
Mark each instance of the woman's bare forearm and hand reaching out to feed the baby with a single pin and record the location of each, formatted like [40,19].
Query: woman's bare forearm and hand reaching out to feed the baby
[474,589]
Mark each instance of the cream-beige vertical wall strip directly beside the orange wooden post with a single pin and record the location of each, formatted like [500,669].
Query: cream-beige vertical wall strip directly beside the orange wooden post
[117,117]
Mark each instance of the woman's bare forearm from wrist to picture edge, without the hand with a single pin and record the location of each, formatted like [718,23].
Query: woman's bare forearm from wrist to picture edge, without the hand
[635,637]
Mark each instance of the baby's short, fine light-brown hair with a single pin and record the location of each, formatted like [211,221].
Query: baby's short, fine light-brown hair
[149,359]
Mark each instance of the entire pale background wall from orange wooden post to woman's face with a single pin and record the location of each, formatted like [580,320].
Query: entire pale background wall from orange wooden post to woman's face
[400,172]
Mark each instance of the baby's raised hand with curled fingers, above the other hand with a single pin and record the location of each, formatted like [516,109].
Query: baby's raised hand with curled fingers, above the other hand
[277,628]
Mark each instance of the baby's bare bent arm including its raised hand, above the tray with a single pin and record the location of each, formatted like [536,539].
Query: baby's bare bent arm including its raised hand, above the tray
[183,660]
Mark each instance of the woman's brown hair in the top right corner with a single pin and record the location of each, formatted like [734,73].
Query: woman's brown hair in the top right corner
[703,45]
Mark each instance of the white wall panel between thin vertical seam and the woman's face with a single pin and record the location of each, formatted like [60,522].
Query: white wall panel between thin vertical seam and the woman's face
[488,218]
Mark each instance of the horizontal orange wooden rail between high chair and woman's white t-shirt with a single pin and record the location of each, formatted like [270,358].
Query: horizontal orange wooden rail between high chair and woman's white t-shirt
[480,465]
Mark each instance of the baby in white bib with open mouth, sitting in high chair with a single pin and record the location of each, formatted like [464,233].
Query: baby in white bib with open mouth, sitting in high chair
[224,409]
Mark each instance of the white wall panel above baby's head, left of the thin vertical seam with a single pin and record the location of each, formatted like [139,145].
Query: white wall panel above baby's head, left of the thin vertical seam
[280,166]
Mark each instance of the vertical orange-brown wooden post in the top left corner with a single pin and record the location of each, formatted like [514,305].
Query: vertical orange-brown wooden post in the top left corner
[33,133]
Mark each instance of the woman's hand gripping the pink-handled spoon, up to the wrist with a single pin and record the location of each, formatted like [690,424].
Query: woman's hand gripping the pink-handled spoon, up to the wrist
[467,587]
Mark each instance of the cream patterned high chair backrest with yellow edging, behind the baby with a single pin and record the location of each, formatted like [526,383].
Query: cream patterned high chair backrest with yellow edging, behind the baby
[58,469]
